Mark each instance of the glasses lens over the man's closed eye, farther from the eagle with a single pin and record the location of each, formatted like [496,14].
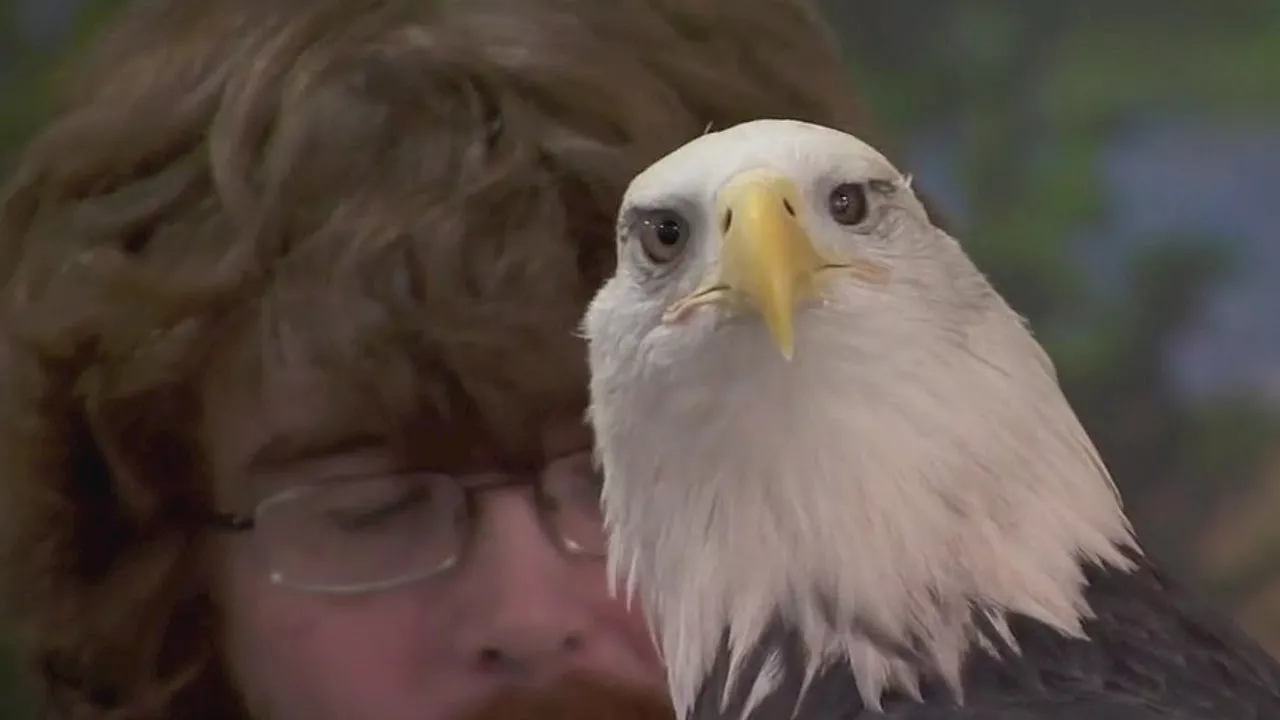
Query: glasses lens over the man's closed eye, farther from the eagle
[354,534]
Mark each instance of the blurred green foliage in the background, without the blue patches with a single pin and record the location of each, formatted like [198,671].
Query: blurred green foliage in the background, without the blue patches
[1037,89]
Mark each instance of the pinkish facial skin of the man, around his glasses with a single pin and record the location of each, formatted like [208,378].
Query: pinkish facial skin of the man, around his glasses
[518,610]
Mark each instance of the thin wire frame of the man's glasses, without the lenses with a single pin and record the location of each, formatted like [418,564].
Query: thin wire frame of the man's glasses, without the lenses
[472,489]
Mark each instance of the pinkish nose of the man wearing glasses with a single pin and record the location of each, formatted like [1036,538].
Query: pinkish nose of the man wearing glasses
[531,614]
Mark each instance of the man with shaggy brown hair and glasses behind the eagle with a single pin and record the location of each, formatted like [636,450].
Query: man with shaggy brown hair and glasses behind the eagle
[291,391]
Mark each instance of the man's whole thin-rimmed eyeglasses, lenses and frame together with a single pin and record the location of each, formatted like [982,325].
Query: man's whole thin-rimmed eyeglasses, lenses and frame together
[369,534]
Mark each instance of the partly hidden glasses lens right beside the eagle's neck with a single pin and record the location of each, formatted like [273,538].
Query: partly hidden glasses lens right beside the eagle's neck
[573,489]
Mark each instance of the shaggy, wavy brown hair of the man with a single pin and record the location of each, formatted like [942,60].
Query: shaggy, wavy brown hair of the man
[436,180]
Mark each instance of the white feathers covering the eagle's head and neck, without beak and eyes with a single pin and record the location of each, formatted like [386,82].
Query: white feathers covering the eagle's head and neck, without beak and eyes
[916,459]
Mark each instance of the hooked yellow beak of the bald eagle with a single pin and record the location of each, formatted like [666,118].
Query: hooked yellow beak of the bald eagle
[769,256]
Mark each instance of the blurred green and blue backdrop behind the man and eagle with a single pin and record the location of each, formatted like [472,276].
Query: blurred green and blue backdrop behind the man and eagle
[1114,167]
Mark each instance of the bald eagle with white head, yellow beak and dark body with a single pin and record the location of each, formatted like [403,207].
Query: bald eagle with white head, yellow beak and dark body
[843,479]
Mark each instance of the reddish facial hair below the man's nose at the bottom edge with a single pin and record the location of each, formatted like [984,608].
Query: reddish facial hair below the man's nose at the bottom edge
[577,698]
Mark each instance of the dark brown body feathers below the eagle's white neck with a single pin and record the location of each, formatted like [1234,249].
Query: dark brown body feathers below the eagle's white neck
[1154,650]
